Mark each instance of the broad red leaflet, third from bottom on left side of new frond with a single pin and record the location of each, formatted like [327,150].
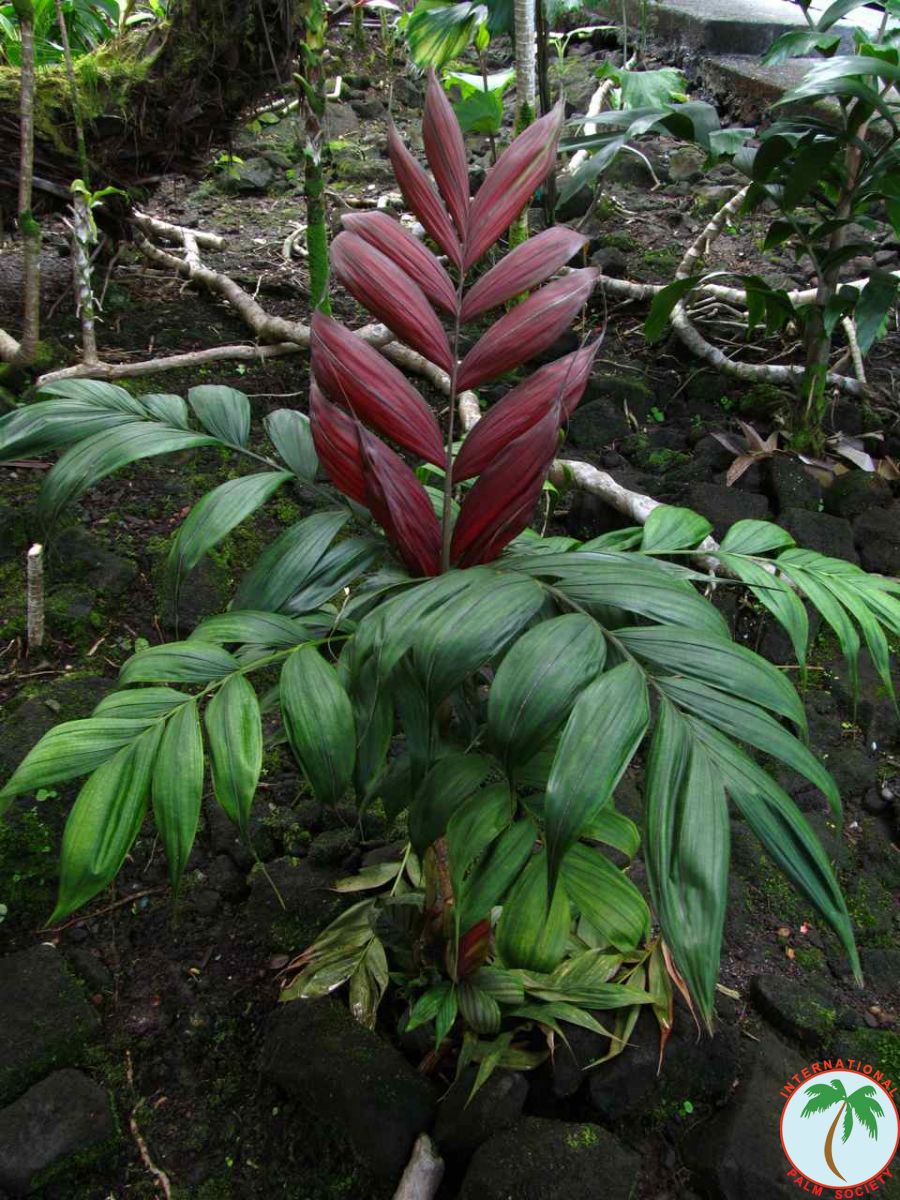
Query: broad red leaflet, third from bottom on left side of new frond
[356,376]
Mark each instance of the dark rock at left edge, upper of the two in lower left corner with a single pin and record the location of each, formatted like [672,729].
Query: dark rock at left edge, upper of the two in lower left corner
[45,1018]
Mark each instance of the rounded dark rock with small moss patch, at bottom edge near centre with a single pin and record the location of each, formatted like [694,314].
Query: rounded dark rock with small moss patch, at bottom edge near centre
[539,1160]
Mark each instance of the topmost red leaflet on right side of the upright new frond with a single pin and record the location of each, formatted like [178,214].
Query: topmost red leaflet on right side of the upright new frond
[511,183]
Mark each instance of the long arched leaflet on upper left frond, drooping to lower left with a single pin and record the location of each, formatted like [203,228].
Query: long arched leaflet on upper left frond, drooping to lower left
[101,454]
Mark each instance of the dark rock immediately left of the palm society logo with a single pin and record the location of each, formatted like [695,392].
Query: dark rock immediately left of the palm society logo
[739,1156]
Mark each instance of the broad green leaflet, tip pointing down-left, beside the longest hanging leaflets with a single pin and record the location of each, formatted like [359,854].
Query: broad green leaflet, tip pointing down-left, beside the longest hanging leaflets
[601,739]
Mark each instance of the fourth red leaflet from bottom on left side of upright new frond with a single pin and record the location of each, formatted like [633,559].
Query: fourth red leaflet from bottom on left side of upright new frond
[388,292]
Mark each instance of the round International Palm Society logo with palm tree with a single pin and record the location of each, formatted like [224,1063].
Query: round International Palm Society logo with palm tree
[841,1129]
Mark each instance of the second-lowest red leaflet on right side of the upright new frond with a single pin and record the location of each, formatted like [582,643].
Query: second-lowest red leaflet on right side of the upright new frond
[524,406]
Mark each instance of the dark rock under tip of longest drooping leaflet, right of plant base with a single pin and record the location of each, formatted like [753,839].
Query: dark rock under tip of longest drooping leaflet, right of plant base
[631,1085]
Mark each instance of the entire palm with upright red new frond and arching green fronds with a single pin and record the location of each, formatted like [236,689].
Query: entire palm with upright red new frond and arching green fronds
[427,652]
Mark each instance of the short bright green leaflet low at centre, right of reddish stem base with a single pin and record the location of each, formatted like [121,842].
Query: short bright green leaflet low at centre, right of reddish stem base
[532,933]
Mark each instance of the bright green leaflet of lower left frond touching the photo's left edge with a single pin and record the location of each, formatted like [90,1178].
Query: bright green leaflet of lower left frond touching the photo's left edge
[69,751]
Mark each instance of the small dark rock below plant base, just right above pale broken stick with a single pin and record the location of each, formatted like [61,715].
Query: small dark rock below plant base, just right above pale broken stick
[464,1125]
